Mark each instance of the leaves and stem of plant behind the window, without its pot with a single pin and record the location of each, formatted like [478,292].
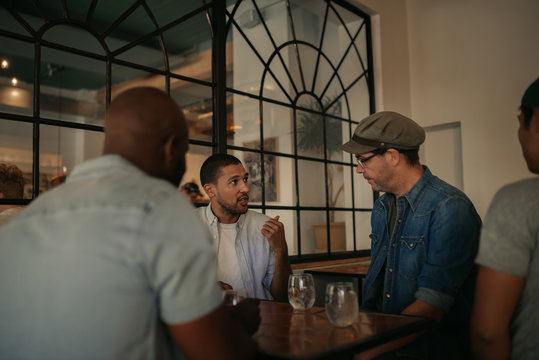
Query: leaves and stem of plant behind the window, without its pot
[311,138]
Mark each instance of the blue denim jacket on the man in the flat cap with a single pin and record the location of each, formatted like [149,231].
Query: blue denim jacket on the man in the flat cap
[431,251]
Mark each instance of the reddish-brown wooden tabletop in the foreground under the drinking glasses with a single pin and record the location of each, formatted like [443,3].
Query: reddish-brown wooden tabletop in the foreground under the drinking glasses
[286,333]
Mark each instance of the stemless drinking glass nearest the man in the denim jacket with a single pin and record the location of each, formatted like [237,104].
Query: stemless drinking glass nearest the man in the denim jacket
[341,303]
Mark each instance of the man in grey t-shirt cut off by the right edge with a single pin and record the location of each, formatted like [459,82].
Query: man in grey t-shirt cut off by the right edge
[505,321]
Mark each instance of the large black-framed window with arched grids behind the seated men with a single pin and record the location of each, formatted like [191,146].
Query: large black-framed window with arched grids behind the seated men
[278,83]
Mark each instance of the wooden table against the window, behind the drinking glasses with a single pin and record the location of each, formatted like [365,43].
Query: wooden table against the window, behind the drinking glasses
[322,276]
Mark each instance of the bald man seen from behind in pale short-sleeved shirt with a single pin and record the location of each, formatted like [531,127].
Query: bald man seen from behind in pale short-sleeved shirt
[114,263]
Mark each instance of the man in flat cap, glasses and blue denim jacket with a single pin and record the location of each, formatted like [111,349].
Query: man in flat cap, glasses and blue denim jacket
[424,236]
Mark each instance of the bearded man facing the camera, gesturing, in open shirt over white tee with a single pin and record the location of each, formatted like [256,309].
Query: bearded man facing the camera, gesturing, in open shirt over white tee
[251,247]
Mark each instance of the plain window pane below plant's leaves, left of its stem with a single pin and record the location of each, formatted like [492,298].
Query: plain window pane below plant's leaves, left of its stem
[312,185]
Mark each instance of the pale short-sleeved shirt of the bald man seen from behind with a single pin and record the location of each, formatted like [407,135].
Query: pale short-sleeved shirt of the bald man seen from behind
[95,268]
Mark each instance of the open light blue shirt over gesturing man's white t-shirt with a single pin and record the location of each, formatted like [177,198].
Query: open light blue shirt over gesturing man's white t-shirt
[255,257]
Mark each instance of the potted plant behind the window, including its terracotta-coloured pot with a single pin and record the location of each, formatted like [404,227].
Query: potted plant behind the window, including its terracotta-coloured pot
[311,138]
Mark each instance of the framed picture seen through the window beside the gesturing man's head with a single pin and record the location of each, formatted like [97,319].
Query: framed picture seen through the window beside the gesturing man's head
[252,163]
